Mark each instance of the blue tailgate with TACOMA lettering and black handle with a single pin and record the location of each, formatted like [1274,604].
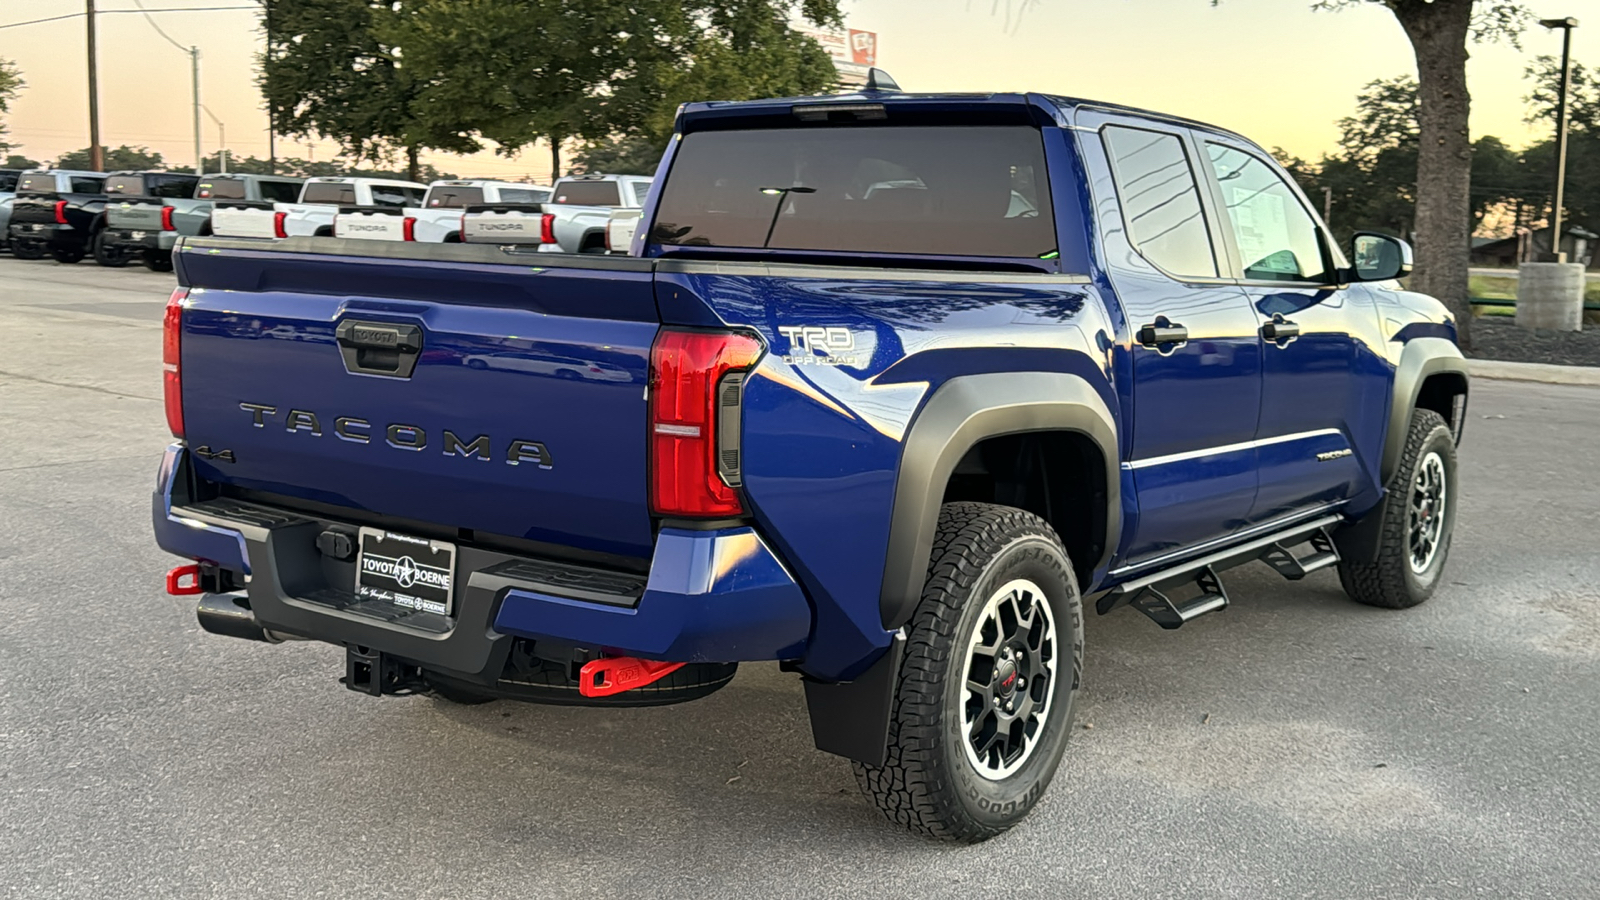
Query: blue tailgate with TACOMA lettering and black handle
[470,392]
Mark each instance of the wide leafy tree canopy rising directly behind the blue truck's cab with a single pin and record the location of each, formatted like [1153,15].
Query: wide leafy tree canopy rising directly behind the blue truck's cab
[518,71]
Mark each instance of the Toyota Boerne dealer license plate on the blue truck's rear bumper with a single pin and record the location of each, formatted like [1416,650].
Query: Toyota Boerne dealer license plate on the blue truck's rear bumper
[404,571]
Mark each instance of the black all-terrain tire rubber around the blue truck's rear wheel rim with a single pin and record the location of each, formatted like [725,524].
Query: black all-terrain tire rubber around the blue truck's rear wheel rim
[929,782]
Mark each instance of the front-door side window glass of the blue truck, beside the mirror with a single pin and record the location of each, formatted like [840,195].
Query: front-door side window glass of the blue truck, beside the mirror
[1278,238]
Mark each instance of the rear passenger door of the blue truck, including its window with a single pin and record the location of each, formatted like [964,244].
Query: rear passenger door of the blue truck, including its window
[1196,388]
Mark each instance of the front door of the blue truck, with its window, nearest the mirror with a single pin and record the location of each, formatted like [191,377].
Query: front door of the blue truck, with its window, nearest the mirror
[1326,393]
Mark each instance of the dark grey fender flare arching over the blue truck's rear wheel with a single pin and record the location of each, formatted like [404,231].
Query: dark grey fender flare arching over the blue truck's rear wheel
[962,412]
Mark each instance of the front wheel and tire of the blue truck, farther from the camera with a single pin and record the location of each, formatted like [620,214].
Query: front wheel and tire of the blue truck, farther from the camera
[1418,520]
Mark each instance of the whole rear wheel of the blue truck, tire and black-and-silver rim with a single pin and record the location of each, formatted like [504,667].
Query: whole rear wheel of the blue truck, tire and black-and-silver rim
[985,696]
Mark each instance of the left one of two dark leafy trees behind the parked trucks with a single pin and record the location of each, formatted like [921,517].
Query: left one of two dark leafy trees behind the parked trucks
[329,71]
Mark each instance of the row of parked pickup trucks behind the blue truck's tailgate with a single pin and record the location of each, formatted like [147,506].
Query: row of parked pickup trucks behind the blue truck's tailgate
[138,217]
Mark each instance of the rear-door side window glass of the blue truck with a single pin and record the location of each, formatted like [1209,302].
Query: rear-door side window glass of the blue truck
[1161,201]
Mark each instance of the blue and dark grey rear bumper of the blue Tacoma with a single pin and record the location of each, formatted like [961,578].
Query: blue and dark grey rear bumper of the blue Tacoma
[716,597]
